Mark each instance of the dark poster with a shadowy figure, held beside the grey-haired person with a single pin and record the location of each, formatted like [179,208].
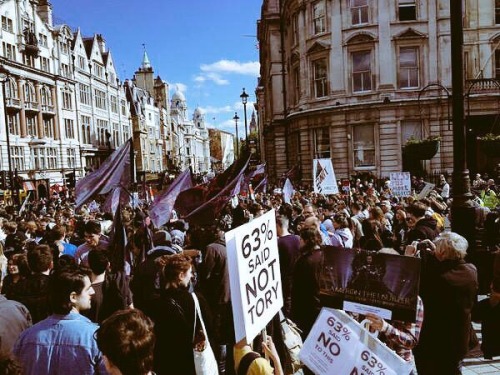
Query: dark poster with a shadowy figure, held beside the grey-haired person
[364,281]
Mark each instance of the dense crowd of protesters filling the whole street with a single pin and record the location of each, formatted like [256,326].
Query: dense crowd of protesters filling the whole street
[73,301]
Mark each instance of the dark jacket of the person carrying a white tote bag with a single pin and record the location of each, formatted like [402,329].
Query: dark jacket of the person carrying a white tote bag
[173,316]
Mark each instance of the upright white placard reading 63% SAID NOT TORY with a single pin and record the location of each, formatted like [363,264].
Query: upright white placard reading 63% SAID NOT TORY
[254,275]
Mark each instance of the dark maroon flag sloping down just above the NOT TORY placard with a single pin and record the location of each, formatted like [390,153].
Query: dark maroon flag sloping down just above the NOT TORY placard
[209,211]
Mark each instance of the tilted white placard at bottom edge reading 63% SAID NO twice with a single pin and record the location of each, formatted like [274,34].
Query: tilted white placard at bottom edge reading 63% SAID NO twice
[337,344]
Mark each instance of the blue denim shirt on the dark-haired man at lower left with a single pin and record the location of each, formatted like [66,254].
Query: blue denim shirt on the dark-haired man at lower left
[60,344]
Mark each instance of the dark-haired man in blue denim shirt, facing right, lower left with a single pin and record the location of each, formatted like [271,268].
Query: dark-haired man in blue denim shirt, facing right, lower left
[64,342]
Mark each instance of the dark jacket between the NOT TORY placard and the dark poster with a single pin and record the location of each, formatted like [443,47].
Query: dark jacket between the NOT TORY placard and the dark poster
[305,289]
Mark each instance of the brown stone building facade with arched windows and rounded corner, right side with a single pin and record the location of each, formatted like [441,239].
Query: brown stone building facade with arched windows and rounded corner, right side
[352,80]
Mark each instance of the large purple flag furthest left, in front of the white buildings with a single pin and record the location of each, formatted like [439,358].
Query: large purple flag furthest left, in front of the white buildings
[114,172]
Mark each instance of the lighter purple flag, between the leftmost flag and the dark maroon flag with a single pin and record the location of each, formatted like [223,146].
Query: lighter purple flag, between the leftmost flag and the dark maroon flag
[162,207]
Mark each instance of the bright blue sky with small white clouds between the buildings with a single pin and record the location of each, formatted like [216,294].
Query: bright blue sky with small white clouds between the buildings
[205,48]
